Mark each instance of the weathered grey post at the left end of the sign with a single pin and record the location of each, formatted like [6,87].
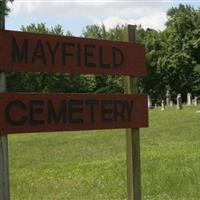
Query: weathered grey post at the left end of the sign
[4,176]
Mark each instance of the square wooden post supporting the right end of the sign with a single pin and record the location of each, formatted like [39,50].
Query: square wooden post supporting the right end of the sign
[132,135]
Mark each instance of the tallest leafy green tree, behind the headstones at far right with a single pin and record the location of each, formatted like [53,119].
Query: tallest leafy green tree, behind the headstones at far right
[181,56]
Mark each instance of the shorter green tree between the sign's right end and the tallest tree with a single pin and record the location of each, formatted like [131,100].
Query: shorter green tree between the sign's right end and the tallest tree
[155,82]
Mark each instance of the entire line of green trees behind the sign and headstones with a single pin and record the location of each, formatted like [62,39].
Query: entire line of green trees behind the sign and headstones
[172,57]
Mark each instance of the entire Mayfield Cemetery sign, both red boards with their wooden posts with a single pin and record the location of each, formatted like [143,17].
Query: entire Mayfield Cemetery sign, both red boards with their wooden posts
[34,112]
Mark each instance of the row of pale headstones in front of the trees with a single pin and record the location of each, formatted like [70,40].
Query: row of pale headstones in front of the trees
[170,103]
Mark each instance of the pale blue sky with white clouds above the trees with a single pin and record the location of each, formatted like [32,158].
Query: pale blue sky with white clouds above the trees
[74,15]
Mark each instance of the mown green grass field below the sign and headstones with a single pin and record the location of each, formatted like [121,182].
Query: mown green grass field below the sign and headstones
[92,165]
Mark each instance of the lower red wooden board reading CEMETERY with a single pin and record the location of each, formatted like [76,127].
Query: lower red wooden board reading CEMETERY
[24,112]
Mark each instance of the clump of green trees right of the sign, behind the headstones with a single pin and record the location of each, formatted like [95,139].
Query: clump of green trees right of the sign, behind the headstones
[173,54]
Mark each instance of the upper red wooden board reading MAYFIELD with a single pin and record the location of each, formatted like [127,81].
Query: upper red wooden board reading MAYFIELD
[21,51]
